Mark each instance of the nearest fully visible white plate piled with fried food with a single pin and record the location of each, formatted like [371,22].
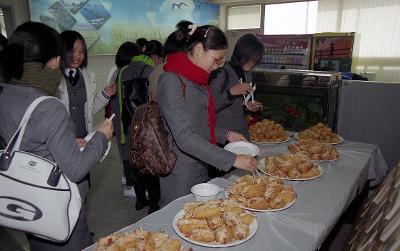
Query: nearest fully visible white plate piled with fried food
[216,223]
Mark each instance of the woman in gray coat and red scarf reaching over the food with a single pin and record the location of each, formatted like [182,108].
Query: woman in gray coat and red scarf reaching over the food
[187,105]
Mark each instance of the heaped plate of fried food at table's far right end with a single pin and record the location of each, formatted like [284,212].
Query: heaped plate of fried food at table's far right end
[320,133]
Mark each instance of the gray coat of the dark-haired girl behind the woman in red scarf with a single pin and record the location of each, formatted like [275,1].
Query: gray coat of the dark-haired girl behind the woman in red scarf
[229,113]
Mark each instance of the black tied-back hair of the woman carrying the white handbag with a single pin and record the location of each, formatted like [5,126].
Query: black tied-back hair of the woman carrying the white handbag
[31,42]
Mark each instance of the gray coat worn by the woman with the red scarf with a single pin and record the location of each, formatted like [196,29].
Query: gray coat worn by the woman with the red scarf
[186,117]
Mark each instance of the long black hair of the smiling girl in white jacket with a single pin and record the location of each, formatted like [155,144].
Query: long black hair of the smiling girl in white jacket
[69,38]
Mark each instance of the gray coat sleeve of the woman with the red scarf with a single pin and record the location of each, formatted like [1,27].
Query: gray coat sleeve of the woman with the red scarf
[183,131]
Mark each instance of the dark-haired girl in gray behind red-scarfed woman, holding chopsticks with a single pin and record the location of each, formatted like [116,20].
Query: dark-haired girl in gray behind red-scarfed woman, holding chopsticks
[232,81]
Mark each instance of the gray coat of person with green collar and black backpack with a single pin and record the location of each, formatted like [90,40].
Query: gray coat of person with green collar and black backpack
[133,70]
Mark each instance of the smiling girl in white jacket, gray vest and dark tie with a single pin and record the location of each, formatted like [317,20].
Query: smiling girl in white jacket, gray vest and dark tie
[77,88]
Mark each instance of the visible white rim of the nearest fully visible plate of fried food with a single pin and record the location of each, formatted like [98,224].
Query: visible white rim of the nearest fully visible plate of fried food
[252,231]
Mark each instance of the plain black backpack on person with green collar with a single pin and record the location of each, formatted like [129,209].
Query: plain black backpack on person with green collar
[134,94]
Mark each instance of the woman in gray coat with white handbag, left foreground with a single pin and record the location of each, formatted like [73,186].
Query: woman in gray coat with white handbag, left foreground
[30,64]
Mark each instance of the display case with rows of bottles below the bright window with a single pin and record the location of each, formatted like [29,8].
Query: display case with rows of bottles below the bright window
[286,51]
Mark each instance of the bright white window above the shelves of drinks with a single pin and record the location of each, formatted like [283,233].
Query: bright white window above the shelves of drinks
[291,18]
